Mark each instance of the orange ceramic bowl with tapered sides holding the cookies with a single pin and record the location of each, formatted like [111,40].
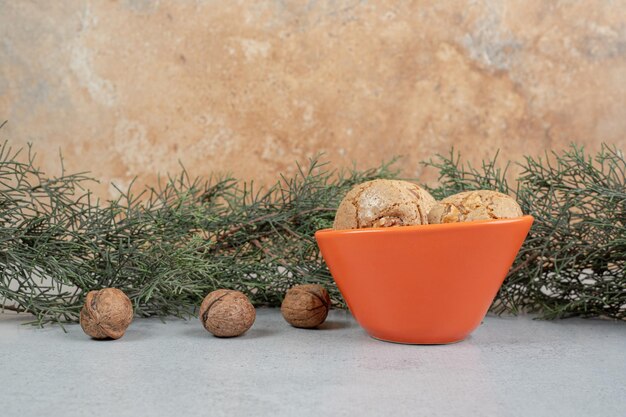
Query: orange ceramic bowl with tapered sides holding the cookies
[425,284]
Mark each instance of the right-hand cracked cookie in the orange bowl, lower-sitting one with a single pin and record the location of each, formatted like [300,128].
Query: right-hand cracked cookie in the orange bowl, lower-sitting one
[474,205]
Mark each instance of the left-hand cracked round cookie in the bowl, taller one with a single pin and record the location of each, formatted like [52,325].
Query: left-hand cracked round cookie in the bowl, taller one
[383,203]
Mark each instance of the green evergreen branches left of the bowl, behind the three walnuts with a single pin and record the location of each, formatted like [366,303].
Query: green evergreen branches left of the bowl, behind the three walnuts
[166,247]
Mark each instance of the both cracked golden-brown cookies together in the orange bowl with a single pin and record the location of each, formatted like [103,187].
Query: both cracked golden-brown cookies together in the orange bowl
[387,203]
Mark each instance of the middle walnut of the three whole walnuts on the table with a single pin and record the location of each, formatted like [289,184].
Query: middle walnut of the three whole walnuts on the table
[227,313]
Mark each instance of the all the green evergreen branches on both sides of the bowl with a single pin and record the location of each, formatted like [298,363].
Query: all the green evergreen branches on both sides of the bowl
[170,245]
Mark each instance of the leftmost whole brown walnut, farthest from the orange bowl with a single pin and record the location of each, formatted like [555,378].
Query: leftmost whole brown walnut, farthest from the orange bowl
[106,314]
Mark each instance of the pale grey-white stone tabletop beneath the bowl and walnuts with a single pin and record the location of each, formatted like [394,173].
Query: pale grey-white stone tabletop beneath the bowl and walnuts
[508,367]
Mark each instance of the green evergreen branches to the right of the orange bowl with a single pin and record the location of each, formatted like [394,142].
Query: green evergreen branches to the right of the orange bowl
[573,262]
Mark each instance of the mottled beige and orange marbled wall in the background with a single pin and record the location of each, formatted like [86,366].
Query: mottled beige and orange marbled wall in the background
[128,88]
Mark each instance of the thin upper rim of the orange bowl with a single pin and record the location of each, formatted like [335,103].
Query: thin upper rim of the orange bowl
[425,227]
